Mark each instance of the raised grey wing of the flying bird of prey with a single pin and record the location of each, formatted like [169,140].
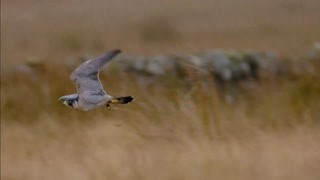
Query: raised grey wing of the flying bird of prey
[86,76]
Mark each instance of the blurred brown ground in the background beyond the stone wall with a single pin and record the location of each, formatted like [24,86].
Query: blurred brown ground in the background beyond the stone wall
[57,29]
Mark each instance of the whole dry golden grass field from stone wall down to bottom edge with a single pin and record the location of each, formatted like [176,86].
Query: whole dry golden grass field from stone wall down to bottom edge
[169,132]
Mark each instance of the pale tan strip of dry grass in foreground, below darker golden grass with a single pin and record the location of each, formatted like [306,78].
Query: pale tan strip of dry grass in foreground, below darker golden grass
[109,149]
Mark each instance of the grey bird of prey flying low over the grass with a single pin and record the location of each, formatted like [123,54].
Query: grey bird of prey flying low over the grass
[90,93]
